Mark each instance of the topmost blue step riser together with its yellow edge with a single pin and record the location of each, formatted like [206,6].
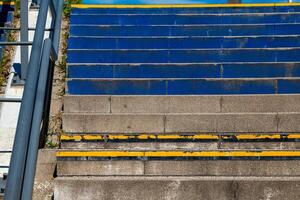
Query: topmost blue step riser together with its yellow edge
[186,9]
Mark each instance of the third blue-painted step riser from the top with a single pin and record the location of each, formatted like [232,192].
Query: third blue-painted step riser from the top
[201,30]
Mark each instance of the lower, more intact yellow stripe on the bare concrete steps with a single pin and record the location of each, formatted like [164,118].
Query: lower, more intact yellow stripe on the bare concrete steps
[178,154]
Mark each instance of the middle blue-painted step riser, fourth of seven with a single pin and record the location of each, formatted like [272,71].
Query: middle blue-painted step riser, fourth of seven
[182,42]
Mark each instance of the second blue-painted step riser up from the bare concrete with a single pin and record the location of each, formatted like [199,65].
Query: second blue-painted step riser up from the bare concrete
[185,71]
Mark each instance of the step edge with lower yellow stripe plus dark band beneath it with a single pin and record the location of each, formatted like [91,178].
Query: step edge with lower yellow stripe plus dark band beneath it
[177,155]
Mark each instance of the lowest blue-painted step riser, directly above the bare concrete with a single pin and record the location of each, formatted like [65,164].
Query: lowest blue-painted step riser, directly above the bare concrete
[181,86]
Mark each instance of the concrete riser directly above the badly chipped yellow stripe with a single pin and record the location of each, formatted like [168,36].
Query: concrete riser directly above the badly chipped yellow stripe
[181,123]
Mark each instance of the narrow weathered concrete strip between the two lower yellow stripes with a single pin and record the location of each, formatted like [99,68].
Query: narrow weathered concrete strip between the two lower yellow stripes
[183,146]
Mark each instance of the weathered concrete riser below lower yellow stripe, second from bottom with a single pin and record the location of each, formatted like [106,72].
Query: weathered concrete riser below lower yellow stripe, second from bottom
[180,168]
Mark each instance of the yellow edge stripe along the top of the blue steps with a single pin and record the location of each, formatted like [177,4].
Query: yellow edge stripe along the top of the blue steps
[184,5]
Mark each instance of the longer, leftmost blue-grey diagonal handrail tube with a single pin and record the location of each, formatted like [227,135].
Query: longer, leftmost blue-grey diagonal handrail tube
[16,171]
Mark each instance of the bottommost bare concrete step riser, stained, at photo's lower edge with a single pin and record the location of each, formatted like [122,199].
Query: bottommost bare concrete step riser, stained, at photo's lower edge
[176,187]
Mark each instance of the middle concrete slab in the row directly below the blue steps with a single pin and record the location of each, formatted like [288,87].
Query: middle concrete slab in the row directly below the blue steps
[165,104]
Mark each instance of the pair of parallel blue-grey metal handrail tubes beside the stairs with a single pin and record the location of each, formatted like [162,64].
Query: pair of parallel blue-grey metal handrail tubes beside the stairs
[35,105]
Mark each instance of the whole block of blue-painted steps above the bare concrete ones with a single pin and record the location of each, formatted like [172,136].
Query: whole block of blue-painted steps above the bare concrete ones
[157,52]
